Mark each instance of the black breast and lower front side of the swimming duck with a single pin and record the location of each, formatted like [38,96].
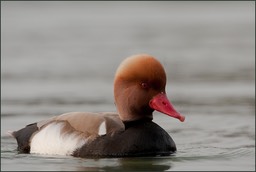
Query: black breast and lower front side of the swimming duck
[140,138]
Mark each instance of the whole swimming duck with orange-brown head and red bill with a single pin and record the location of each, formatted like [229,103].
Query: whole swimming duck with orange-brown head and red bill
[139,90]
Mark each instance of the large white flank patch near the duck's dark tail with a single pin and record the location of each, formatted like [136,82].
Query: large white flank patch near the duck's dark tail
[50,141]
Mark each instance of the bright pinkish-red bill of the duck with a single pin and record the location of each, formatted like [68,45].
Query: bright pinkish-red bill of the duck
[161,103]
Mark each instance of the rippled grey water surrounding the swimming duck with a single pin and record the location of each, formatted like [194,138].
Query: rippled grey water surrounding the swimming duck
[61,56]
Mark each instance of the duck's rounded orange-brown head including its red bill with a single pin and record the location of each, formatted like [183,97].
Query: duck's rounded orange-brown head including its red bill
[139,89]
